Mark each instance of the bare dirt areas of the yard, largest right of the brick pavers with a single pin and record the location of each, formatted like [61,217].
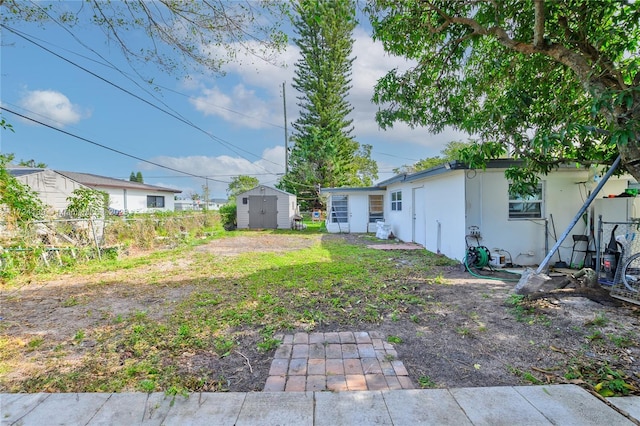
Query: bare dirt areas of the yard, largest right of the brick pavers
[473,337]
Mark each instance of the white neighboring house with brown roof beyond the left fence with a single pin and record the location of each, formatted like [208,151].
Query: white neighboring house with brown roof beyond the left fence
[54,187]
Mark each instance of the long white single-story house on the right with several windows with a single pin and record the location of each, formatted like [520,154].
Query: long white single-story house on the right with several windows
[441,207]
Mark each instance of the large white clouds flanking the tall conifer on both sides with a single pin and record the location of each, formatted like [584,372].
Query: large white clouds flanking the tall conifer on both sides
[254,99]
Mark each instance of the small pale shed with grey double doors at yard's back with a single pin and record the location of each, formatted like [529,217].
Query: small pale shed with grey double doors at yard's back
[264,207]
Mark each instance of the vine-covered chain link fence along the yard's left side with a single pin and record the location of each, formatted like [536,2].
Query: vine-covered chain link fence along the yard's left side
[63,241]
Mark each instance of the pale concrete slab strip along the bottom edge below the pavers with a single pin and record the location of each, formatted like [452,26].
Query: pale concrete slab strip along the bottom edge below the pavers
[519,405]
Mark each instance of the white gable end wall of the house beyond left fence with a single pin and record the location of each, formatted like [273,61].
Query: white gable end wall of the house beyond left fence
[52,188]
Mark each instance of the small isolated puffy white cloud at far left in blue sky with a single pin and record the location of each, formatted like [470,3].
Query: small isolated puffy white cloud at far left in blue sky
[52,107]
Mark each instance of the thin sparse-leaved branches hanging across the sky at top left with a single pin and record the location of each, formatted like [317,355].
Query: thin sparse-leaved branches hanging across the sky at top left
[202,32]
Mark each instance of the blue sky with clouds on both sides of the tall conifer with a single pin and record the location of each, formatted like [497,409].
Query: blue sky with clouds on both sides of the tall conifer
[229,125]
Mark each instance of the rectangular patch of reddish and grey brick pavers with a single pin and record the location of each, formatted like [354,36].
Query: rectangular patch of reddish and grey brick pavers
[344,361]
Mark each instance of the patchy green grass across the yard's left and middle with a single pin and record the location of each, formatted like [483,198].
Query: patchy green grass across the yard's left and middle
[180,319]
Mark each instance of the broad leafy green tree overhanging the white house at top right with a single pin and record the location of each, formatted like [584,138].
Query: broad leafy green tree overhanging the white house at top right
[546,81]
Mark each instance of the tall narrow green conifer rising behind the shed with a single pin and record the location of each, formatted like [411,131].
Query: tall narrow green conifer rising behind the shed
[324,151]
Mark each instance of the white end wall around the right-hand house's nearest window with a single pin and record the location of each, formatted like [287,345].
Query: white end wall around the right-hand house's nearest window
[564,192]
